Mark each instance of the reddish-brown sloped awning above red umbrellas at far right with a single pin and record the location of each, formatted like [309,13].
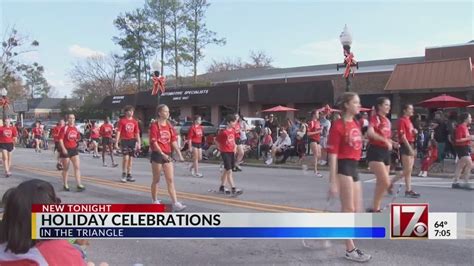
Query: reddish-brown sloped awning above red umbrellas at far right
[444,74]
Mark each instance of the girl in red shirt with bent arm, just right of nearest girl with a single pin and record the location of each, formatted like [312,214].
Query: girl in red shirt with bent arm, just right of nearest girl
[378,153]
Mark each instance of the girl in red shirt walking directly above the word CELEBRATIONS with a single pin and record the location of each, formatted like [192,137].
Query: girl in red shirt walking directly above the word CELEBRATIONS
[163,140]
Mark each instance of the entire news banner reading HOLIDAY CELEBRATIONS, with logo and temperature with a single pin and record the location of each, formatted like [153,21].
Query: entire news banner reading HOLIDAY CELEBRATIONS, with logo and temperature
[153,221]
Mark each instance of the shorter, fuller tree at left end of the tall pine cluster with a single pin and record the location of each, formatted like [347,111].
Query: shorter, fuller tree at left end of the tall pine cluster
[134,28]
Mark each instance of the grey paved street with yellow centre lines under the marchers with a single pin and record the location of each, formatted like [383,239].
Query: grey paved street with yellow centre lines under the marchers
[266,190]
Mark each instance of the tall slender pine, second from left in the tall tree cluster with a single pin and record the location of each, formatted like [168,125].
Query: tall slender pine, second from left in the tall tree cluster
[158,12]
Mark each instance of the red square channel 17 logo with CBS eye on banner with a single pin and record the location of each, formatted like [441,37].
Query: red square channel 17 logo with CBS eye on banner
[409,221]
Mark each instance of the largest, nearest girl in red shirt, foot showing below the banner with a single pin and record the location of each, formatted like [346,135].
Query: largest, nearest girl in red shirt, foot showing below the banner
[345,148]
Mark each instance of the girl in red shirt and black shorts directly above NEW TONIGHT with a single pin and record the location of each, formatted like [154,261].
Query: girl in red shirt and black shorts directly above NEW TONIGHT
[69,137]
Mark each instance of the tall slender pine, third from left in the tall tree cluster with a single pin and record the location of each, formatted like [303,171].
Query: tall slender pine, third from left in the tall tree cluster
[178,43]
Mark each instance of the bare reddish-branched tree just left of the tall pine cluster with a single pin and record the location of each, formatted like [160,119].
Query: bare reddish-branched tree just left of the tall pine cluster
[98,76]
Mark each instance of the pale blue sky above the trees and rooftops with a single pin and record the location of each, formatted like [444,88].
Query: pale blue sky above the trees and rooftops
[293,33]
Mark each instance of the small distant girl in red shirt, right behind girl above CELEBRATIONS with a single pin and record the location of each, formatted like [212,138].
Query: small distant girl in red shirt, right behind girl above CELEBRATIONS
[195,136]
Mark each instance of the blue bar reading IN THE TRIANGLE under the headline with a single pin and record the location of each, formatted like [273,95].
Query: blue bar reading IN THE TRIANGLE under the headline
[216,232]
